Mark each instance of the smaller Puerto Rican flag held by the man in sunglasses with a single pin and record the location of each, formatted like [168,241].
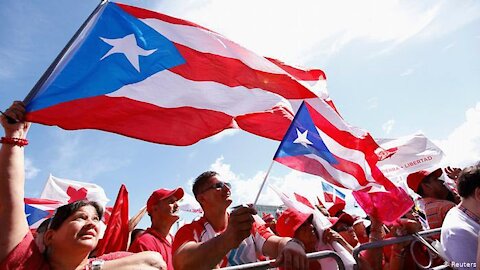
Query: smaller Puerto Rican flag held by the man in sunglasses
[321,143]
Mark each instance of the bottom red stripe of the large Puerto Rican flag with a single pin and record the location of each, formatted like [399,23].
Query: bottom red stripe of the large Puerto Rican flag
[186,125]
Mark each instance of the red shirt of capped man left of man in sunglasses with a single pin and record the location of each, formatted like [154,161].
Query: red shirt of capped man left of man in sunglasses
[153,241]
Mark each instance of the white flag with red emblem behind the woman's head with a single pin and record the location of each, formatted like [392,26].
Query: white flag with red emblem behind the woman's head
[67,191]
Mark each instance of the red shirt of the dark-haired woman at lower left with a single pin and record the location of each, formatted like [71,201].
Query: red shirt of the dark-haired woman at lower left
[27,256]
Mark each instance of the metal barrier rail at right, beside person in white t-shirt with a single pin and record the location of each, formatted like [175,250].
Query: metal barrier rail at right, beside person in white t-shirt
[396,240]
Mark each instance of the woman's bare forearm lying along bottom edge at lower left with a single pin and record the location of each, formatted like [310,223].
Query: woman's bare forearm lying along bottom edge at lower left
[145,260]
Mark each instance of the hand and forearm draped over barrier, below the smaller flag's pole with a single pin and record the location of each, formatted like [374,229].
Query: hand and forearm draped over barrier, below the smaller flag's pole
[288,254]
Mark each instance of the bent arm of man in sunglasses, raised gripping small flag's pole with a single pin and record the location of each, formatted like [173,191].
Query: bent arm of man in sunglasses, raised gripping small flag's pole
[206,255]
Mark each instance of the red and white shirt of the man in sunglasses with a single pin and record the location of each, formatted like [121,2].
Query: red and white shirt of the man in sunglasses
[200,231]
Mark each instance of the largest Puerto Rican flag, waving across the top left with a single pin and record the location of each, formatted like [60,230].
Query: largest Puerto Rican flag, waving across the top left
[161,79]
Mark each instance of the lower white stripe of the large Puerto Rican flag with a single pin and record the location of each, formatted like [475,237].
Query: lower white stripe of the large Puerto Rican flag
[169,90]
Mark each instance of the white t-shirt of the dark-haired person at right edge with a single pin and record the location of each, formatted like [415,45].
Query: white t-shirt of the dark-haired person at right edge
[459,239]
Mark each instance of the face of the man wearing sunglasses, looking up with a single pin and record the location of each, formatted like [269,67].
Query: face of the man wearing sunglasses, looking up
[215,193]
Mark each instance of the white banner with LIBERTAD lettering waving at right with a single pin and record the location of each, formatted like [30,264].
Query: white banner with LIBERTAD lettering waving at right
[408,154]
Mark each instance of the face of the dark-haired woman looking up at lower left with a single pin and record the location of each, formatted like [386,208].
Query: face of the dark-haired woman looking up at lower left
[78,232]
